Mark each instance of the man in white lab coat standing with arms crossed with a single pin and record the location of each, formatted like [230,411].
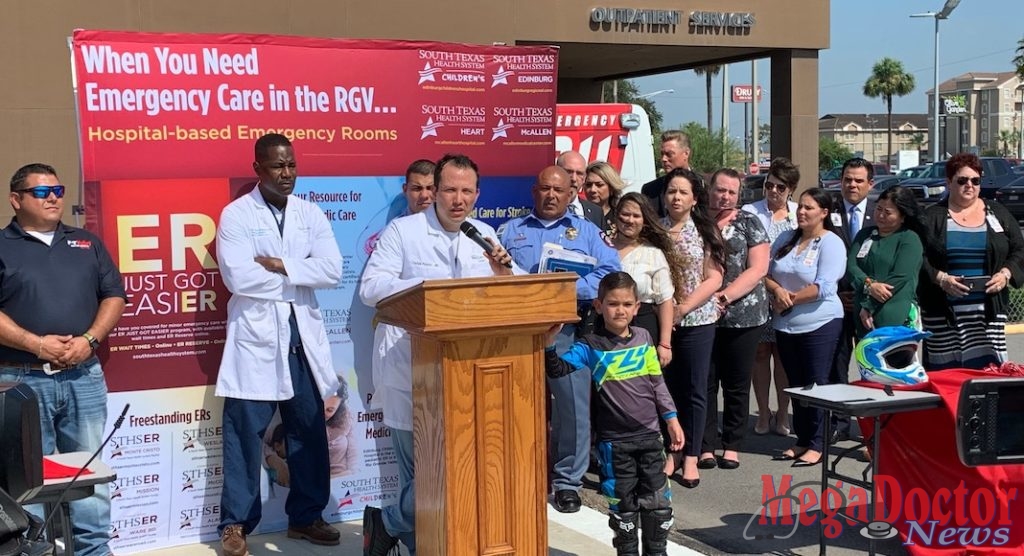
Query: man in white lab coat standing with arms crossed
[275,250]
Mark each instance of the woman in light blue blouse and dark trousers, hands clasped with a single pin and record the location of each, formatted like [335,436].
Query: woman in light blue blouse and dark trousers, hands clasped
[806,267]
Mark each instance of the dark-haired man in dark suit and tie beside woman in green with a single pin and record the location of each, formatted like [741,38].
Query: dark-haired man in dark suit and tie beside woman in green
[851,213]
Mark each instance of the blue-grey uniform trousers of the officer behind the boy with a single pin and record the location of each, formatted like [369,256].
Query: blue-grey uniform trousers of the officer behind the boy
[570,422]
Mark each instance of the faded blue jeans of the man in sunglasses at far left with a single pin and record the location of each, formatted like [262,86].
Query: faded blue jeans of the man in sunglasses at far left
[73,412]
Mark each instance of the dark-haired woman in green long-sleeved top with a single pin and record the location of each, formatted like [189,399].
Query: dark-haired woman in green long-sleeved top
[884,264]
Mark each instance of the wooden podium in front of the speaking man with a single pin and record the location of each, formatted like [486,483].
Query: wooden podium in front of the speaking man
[479,409]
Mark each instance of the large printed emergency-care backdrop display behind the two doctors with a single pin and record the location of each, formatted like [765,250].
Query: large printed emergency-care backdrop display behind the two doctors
[167,127]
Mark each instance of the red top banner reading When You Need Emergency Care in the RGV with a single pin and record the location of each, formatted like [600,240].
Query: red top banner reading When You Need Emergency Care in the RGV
[358,108]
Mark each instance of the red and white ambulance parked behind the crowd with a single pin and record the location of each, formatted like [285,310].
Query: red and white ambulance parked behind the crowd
[617,134]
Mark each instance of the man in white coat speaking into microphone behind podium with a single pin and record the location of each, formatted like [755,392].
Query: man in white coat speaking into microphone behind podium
[428,245]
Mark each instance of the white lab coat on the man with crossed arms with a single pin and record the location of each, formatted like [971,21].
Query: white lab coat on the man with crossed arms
[255,361]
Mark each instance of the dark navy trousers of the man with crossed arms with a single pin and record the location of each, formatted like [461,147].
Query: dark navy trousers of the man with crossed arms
[309,463]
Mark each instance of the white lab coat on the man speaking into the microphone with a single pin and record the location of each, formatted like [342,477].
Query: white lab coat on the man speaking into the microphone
[413,249]
